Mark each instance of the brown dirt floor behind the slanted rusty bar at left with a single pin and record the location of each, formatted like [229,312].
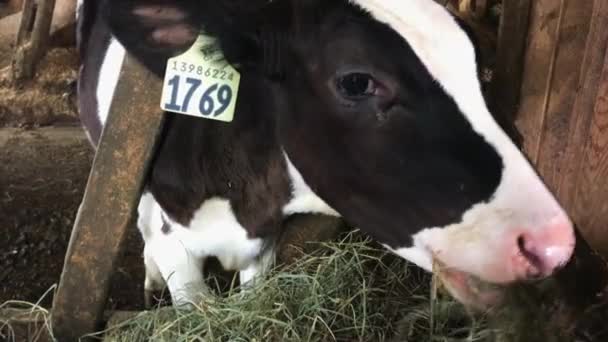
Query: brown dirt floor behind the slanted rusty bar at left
[44,164]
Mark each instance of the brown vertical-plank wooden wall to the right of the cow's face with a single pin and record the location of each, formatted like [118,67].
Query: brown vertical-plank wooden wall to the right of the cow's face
[563,112]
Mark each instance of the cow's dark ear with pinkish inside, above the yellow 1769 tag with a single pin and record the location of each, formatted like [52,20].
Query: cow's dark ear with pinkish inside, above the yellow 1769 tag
[252,34]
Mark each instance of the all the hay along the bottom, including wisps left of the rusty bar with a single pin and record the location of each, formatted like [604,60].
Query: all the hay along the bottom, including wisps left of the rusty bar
[353,290]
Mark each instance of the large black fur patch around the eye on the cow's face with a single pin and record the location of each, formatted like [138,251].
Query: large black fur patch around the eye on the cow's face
[376,135]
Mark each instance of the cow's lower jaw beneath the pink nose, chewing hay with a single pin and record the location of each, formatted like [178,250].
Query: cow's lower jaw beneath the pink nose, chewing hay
[469,289]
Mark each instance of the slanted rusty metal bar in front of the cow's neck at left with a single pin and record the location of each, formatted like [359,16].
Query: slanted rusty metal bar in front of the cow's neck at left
[110,201]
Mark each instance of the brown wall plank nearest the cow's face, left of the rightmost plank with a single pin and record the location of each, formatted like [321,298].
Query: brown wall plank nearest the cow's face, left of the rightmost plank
[552,69]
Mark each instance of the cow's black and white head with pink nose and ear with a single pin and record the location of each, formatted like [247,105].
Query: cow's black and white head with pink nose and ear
[380,112]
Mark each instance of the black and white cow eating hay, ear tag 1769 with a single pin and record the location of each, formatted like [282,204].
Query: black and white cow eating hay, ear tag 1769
[367,109]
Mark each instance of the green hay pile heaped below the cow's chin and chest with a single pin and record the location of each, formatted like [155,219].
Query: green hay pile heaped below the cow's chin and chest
[347,291]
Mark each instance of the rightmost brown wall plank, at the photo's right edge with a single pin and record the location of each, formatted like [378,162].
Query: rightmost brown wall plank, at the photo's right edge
[582,187]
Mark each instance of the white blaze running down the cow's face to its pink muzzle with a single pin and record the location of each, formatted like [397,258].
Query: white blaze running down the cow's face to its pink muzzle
[485,243]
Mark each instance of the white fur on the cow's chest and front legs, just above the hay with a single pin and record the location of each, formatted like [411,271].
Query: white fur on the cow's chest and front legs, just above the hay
[177,257]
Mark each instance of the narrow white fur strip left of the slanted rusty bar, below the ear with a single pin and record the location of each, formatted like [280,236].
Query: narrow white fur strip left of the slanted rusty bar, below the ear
[108,78]
